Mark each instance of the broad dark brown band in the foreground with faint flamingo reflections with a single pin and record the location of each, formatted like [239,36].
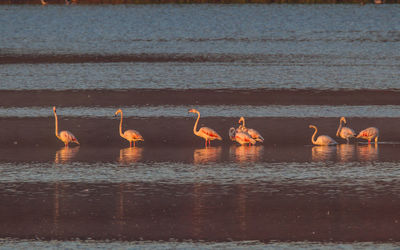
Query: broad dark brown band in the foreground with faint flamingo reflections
[137,211]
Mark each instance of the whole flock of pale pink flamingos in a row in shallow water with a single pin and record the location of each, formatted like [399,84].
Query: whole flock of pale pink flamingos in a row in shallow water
[242,134]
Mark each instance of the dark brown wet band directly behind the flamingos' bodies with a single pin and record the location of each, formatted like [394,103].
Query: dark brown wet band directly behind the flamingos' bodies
[178,132]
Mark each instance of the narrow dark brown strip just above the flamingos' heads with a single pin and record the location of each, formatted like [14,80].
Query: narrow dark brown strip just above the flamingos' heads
[100,98]
